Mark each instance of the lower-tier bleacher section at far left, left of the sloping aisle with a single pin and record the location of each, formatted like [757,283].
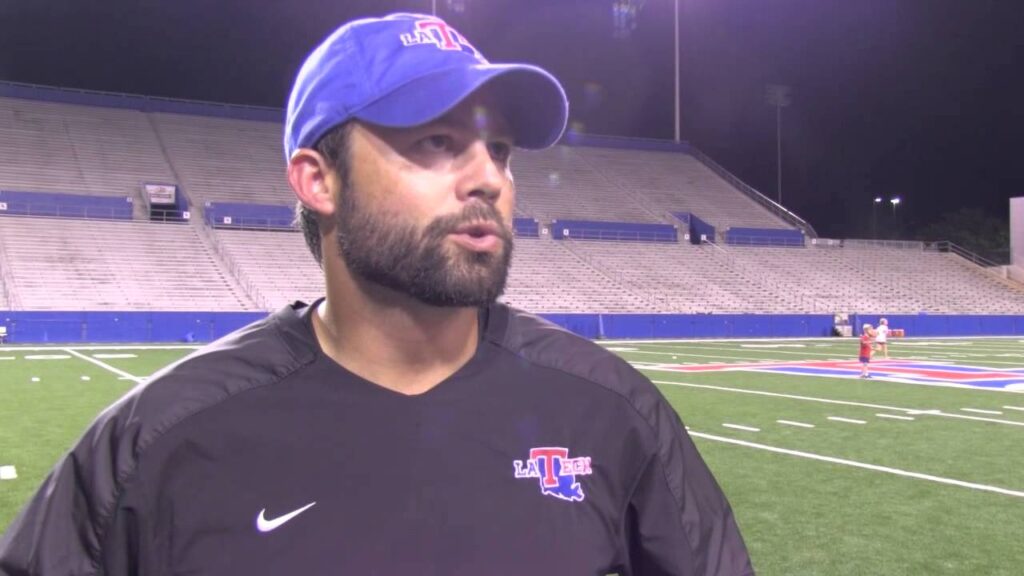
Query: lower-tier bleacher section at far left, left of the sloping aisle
[68,265]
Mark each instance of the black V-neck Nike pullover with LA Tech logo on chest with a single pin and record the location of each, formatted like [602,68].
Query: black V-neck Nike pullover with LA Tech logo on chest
[544,455]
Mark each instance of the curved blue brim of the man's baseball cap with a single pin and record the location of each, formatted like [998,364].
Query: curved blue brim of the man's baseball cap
[533,101]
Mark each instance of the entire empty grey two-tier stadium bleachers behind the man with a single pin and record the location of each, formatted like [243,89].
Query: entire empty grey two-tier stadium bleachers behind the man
[48,264]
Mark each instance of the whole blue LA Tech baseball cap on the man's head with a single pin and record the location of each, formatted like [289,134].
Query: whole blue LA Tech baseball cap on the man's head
[406,70]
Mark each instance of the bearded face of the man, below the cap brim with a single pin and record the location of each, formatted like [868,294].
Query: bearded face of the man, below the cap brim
[428,211]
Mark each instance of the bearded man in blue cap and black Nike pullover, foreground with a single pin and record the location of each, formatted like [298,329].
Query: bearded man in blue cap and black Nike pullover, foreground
[406,424]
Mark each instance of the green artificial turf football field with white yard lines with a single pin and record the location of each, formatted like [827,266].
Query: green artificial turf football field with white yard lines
[917,471]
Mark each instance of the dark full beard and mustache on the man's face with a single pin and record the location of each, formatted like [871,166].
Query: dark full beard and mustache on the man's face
[385,250]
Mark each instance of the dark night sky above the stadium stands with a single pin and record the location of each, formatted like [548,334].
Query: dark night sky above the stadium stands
[921,99]
